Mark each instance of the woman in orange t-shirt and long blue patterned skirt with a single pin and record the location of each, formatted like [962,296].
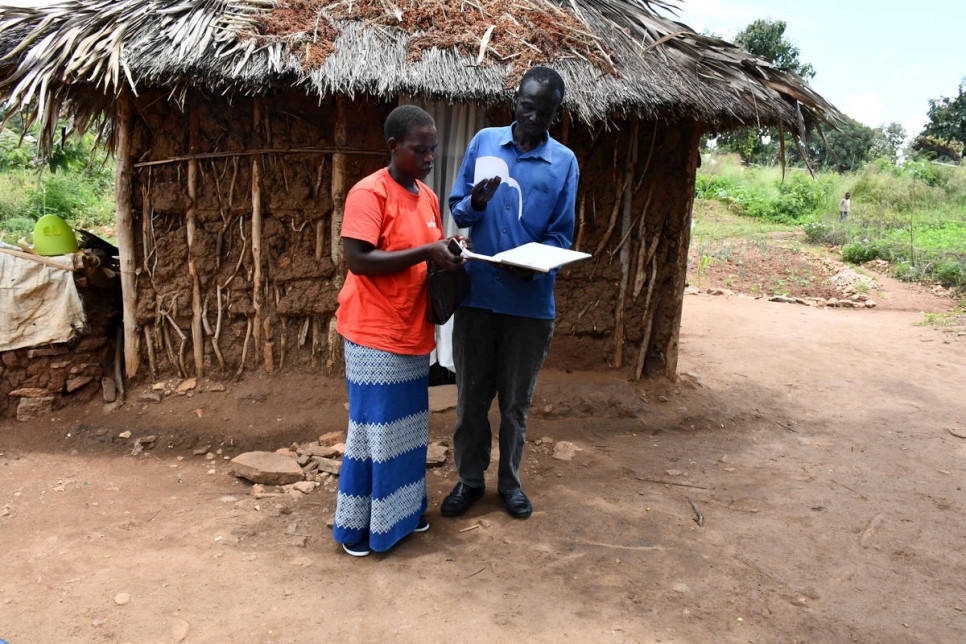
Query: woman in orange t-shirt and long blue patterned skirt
[390,228]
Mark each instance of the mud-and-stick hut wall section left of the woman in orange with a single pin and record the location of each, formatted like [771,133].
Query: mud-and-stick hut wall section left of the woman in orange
[291,138]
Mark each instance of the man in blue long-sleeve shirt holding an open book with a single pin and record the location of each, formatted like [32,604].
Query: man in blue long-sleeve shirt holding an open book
[502,332]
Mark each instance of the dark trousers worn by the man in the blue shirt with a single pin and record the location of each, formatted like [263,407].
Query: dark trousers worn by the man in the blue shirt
[495,355]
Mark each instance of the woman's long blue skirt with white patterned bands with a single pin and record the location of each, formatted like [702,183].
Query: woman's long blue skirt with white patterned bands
[382,485]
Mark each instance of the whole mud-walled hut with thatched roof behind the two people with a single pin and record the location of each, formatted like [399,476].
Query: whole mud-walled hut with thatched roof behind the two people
[238,126]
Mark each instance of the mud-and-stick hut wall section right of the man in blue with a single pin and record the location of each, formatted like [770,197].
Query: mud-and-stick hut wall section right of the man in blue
[632,287]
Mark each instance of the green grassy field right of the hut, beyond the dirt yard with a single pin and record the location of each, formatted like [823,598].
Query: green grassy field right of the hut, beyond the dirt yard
[913,216]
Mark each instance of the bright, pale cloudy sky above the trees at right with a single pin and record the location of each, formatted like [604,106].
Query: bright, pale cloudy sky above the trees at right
[877,62]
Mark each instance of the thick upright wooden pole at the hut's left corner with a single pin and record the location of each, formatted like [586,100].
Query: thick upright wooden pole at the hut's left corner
[125,232]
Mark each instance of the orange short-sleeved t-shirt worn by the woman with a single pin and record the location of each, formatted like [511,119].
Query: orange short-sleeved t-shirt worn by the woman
[388,312]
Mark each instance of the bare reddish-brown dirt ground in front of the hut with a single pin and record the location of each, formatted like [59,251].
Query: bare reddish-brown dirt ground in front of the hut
[823,448]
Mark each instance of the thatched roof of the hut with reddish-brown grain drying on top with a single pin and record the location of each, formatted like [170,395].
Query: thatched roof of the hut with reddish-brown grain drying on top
[617,56]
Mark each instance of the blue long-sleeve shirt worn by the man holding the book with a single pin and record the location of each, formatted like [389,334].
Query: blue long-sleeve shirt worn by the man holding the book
[548,177]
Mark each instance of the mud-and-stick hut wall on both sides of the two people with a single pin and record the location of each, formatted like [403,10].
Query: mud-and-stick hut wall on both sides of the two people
[634,210]
